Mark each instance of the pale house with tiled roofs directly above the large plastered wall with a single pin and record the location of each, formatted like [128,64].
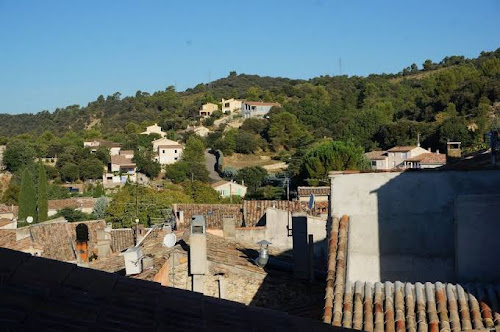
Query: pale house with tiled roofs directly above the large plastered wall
[394,157]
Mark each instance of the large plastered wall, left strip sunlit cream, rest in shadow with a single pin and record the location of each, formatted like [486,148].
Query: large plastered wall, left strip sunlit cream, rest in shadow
[402,224]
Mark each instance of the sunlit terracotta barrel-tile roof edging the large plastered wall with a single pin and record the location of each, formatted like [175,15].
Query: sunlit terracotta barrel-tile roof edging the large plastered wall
[398,307]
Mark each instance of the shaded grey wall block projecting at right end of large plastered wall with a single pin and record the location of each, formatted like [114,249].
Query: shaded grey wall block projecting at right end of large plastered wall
[477,222]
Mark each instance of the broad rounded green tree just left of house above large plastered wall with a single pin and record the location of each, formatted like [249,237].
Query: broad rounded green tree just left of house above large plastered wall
[332,156]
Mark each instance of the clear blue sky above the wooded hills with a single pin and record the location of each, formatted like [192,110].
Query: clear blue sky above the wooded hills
[59,53]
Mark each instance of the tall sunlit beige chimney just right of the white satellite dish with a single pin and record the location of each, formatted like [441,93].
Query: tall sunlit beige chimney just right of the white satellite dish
[198,253]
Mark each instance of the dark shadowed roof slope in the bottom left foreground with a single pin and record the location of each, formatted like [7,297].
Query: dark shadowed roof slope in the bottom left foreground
[45,295]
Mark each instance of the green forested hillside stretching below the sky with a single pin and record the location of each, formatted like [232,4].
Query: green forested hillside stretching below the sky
[455,99]
